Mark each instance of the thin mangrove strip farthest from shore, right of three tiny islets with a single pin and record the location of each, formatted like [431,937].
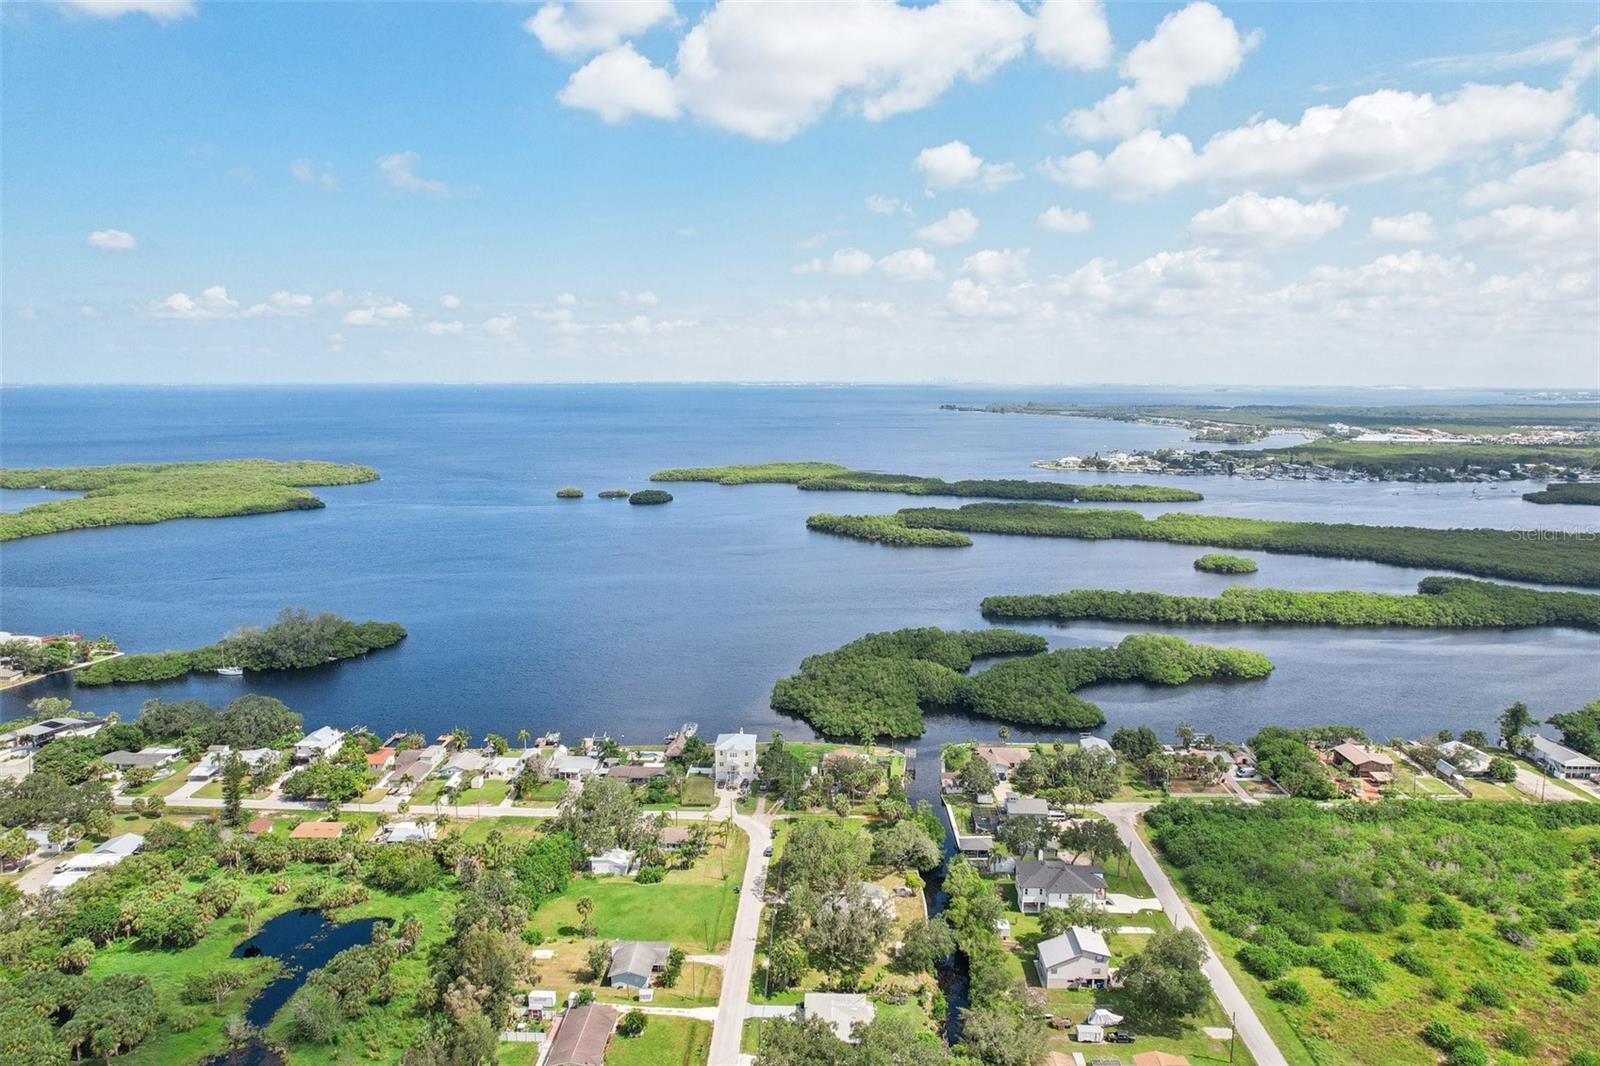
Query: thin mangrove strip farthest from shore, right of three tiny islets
[830,478]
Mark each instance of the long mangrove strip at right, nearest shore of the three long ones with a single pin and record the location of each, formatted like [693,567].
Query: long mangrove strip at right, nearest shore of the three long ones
[1439,604]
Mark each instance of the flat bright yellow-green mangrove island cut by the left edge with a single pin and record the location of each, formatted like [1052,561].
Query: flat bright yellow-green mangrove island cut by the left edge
[158,492]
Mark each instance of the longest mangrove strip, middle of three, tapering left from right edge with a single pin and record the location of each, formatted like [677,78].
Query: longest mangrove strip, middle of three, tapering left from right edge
[1513,555]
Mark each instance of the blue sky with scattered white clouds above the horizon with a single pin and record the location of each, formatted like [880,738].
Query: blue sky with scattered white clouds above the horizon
[1289,194]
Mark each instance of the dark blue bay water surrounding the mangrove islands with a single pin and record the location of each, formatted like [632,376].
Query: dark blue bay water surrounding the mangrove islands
[529,612]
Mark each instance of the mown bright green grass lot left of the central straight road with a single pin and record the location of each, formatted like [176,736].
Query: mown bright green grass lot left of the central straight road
[694,908]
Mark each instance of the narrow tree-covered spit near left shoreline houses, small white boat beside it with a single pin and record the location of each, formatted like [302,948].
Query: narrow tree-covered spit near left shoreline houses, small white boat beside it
[297,641]
